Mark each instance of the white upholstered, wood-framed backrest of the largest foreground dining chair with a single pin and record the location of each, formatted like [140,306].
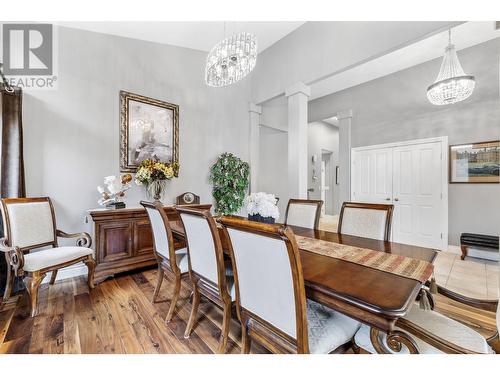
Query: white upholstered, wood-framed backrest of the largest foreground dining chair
[268,275]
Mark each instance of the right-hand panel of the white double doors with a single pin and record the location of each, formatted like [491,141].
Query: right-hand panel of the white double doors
[418,209]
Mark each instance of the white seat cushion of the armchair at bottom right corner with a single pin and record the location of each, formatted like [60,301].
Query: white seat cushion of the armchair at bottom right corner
[436,323]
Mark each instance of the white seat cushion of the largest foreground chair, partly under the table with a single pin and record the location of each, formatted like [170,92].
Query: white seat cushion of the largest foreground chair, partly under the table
[327,328]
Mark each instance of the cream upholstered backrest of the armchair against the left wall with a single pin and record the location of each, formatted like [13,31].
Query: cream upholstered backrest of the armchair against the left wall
[29,223]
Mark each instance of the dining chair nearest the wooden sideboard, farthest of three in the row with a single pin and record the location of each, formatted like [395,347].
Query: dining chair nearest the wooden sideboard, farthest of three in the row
[169,259]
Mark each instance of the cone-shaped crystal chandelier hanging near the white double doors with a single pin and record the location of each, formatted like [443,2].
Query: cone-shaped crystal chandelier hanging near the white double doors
[452,85]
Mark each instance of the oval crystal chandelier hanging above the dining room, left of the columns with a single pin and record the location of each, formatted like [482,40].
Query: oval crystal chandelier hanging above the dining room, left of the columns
[231,59]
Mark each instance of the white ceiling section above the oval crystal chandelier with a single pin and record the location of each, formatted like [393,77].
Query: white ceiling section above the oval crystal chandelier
[195,35]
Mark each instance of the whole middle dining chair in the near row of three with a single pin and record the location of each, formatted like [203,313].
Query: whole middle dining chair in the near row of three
[207,269]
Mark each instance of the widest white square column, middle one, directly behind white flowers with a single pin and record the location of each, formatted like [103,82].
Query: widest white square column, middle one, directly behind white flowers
[298,95]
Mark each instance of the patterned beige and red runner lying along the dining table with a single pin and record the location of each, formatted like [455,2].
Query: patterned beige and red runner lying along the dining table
[410,268]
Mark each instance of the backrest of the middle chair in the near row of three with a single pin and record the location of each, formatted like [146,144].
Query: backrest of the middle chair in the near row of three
[206,257]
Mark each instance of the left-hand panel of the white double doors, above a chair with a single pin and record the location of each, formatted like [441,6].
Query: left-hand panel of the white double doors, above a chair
[372,176]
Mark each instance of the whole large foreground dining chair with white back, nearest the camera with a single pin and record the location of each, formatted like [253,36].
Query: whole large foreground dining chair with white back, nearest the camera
[270,295]
